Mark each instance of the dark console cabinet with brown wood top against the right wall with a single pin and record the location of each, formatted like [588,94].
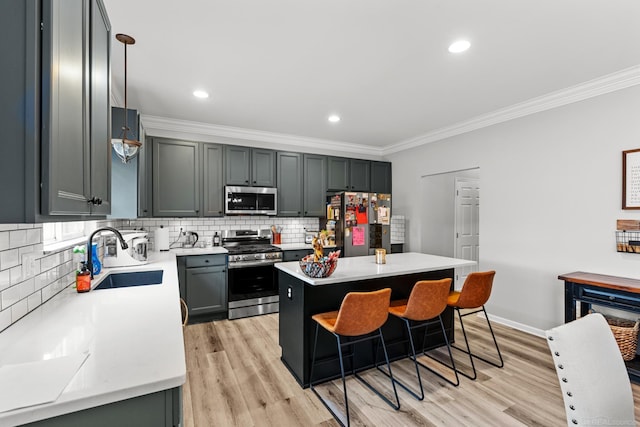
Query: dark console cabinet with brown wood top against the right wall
[582,290]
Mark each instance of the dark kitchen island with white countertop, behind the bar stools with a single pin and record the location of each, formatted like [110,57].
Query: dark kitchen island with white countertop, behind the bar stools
[302,296]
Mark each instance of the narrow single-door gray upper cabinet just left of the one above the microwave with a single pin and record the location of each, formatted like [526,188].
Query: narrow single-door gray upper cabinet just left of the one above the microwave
[213,185]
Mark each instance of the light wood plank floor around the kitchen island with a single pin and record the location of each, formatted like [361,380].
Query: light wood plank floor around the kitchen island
[235,378]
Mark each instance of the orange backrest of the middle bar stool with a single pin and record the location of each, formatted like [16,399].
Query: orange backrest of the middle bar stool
[428,299]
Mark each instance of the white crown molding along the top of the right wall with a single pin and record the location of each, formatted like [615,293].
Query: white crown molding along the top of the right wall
[592,88]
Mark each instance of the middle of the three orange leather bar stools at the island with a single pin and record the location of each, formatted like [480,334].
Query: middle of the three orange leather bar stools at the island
[424,307]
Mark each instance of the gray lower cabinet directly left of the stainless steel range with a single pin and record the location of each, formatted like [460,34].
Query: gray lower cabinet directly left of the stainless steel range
[205,283]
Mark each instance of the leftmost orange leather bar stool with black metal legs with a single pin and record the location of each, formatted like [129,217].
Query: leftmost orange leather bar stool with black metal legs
[360,318]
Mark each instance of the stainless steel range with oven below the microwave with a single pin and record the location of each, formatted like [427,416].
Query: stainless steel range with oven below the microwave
[253,281]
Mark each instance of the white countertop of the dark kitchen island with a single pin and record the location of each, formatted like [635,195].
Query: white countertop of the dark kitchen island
[364,267]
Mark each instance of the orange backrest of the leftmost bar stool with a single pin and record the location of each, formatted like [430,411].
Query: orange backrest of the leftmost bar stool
[363,312]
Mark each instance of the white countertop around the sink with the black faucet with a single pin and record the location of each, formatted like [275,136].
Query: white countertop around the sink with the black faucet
[133,335]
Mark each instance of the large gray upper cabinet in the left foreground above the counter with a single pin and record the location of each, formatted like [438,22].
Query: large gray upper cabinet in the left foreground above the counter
[55,154]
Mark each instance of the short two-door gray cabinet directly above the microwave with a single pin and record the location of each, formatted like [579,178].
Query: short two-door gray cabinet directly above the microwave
[250,166]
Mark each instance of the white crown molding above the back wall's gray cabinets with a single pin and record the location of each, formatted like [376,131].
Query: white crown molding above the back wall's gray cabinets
[166,127]
